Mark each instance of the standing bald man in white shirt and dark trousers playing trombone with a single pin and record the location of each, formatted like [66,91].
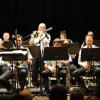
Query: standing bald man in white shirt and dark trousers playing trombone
[39,38]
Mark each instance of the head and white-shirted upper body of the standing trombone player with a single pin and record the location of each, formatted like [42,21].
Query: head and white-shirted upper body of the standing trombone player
[41,37]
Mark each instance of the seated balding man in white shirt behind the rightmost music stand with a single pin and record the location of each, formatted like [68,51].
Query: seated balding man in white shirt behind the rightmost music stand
[86,66]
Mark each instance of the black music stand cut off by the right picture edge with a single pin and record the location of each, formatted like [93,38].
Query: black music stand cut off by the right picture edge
[91,54]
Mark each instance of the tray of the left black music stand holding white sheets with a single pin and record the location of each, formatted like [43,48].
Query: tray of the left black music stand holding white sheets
[14,54]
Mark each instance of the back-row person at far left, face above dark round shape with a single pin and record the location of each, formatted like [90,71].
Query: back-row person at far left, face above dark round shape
[7,43]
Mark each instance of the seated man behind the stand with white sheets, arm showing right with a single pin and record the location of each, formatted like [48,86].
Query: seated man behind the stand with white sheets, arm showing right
[23,65]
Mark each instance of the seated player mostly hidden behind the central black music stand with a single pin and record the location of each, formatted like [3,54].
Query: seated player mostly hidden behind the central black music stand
[50,68]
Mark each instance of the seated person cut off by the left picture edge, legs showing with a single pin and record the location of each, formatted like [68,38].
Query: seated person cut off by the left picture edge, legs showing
[5,72]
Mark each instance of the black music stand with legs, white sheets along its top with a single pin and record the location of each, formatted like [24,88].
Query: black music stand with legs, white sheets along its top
[9,55]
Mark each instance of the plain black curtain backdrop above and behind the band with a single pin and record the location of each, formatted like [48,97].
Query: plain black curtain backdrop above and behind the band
[75,16]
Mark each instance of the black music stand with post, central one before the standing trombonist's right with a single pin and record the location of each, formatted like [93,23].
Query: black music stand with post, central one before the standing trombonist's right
[55,53]
